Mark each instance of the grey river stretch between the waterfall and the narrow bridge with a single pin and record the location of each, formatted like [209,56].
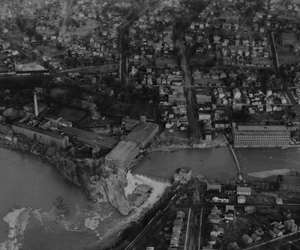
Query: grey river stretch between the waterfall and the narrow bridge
[214,163]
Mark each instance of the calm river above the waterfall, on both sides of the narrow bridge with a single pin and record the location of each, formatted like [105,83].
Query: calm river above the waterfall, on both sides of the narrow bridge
[217,163]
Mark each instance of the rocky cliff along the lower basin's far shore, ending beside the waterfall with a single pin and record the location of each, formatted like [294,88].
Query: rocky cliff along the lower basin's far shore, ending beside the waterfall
[99,181]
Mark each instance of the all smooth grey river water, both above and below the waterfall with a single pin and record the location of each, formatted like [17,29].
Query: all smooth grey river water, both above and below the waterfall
[25,181]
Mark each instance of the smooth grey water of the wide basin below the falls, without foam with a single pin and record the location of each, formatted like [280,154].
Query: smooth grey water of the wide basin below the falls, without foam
[25,181]
